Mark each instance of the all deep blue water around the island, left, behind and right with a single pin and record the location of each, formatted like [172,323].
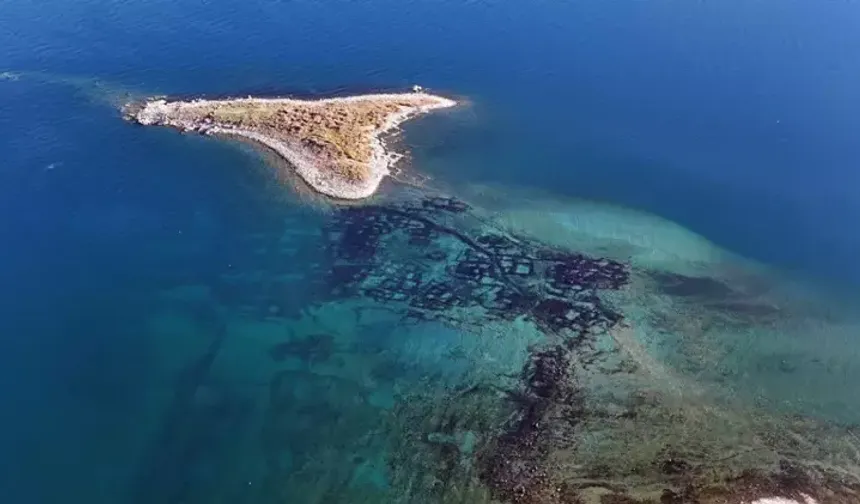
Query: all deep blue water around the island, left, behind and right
[734,119]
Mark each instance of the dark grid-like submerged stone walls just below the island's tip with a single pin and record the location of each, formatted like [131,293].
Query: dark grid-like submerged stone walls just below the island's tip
[504,276]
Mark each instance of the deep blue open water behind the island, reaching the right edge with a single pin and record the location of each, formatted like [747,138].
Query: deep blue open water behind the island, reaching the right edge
[735,120]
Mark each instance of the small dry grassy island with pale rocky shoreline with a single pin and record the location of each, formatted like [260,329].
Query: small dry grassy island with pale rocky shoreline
[335,144]
